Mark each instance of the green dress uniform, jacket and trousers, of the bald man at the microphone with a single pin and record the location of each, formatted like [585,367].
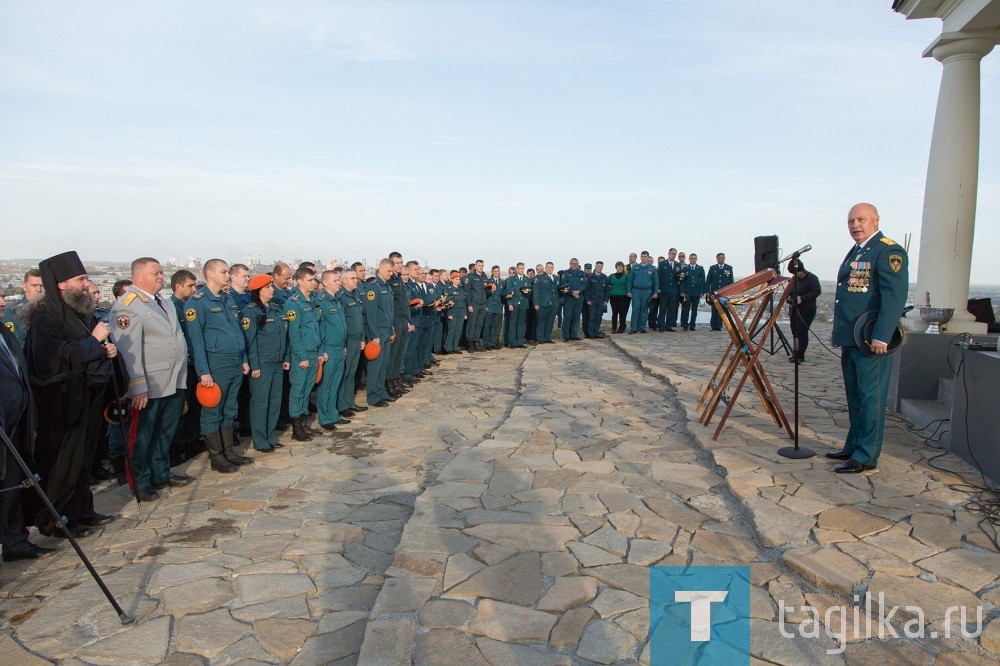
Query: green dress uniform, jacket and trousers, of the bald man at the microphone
[874,276]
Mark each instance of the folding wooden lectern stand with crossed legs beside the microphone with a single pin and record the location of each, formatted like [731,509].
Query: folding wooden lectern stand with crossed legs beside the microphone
[757,292]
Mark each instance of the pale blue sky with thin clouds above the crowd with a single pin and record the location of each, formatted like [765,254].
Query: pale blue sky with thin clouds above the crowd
[452,131]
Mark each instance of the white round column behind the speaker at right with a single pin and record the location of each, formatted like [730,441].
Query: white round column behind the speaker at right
[949,216]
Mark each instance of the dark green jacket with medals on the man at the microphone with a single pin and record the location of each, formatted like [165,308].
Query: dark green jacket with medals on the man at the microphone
[877,278]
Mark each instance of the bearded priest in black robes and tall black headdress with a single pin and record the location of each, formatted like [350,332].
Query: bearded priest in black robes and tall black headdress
[70,365]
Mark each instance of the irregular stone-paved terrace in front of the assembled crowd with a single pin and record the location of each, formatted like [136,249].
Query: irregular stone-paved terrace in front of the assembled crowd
[506,511]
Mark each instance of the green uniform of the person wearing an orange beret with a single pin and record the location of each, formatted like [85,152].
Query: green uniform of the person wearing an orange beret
[267,349]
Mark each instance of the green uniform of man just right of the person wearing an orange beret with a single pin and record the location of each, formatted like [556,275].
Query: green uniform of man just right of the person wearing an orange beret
[303,345]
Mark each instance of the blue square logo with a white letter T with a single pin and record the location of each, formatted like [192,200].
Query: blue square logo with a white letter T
[699,615]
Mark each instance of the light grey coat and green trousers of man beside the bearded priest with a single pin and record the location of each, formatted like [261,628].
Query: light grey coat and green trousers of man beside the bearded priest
[152,348]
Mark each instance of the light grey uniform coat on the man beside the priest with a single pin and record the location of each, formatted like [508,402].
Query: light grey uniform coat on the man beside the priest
[151,344]
